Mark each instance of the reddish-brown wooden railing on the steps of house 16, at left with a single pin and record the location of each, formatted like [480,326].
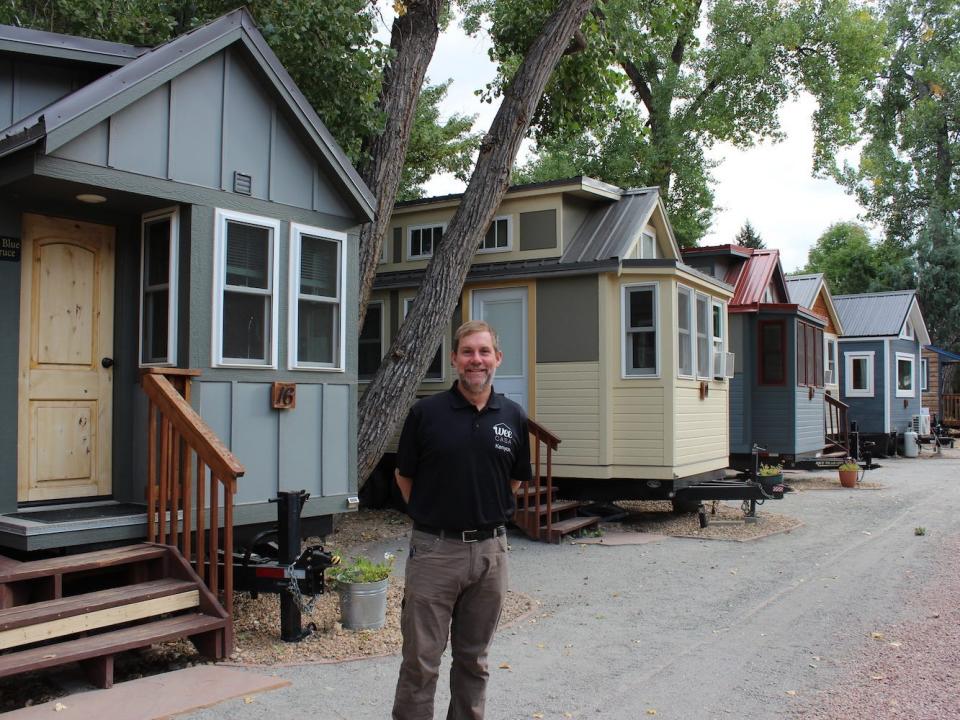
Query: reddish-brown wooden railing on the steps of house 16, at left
[176,435]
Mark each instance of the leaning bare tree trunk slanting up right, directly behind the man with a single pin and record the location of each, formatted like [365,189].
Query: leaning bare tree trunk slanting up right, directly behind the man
[392,390]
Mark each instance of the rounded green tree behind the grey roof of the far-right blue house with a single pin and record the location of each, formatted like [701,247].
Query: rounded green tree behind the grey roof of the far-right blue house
[852,264]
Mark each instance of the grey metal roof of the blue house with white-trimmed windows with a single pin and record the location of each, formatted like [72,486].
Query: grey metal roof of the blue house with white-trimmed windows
[880,314]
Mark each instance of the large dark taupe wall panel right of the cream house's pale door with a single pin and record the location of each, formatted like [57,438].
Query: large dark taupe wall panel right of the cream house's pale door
[568,320]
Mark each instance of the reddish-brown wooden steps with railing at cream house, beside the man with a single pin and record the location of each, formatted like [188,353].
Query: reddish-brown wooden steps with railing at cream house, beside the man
[540,514]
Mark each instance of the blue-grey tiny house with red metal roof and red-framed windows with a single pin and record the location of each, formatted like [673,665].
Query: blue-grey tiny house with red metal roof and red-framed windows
[777,390]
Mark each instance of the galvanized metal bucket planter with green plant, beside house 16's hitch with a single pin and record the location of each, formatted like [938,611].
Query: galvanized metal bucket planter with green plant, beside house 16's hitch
[362,585]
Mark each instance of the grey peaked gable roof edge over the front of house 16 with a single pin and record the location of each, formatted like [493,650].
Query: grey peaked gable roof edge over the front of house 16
[70,116]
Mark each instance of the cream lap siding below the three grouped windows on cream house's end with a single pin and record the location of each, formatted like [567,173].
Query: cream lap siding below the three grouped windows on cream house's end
[701,433]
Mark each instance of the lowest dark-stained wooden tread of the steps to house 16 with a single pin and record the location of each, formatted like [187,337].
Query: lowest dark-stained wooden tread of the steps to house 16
[109,643]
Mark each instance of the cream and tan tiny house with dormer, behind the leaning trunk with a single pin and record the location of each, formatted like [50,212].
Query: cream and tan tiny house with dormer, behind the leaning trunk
[610,340]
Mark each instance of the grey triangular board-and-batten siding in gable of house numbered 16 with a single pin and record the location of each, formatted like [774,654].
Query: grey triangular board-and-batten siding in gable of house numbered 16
[202,127]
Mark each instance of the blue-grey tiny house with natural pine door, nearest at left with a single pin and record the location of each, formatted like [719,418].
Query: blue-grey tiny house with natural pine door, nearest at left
[180,209]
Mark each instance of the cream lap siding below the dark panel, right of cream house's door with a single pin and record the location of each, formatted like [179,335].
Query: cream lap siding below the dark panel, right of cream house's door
[568,404]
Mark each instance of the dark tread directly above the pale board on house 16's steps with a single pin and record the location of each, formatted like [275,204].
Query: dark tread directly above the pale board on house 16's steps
[49,611]
